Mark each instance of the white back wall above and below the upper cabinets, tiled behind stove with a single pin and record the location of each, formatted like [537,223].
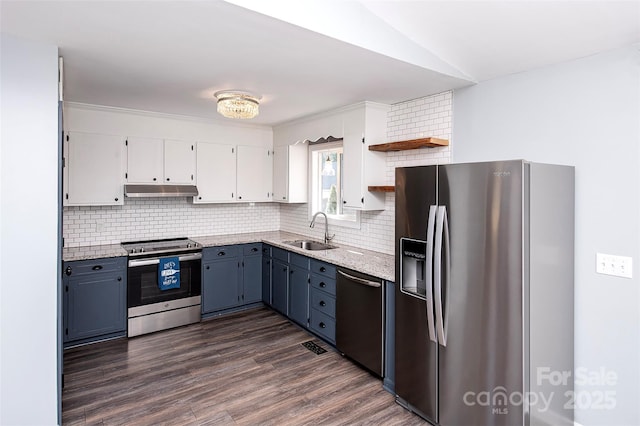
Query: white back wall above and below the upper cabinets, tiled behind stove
[149,218]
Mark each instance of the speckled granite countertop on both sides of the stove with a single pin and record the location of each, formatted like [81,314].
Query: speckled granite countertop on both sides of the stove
[366,261]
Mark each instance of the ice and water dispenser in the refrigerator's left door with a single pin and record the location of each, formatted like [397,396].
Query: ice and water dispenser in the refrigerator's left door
[413,268]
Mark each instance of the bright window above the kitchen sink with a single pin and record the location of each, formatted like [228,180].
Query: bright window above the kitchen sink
[327,185]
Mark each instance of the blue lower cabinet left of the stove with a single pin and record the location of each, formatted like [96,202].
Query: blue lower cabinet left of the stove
[95,300]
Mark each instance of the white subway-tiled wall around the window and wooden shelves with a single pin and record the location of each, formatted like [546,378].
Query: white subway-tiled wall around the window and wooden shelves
[418,118]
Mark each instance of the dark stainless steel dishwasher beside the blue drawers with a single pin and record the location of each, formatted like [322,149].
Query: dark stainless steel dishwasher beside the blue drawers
[360,319]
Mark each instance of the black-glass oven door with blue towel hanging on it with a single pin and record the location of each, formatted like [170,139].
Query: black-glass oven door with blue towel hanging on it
[142,280]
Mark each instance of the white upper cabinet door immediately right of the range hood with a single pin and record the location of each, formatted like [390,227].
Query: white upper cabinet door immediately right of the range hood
[216,173]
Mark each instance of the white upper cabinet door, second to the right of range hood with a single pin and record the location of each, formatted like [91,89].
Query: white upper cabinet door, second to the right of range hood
[254,173]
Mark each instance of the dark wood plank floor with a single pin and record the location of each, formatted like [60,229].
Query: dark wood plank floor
[247,368]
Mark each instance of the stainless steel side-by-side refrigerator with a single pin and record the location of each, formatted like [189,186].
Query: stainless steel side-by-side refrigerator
[484,293]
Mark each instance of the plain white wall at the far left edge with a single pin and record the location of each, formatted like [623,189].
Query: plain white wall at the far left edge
[29,221]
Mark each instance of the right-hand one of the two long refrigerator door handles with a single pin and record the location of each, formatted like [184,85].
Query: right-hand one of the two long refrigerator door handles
[442,236]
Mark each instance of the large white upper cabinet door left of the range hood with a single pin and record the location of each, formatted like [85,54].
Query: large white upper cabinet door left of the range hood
[93,169]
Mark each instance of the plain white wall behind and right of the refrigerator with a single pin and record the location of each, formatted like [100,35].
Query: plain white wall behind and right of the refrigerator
[584,113]
